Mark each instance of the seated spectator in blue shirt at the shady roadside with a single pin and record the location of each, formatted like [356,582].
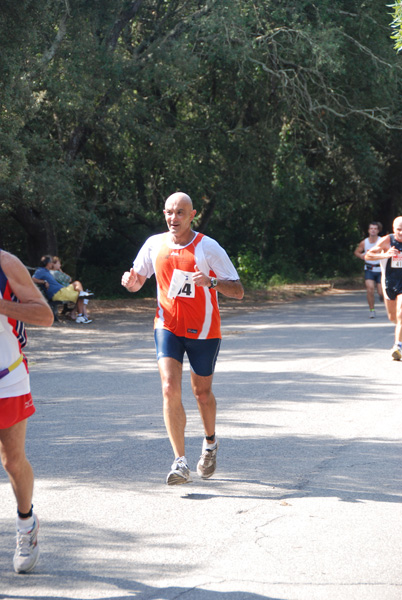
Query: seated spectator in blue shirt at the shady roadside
[55,291]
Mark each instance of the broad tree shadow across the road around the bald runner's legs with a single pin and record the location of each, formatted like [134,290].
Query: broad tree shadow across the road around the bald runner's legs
[104,393]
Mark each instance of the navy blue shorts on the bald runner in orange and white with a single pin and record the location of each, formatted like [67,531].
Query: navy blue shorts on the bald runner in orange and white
[202,354]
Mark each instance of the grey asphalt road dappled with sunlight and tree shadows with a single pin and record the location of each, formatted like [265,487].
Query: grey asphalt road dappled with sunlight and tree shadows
[306,501]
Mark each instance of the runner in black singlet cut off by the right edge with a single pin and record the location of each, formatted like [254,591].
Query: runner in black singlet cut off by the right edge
[390,247]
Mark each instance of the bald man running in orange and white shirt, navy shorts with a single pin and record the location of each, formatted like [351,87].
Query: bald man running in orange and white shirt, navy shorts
[189,268]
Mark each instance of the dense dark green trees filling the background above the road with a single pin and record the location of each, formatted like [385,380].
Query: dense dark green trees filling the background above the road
[281,119]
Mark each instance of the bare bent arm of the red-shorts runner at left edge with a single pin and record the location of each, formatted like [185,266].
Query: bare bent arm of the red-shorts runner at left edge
[32,307]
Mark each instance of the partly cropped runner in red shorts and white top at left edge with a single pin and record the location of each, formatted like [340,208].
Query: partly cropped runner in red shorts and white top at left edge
[20,301]
